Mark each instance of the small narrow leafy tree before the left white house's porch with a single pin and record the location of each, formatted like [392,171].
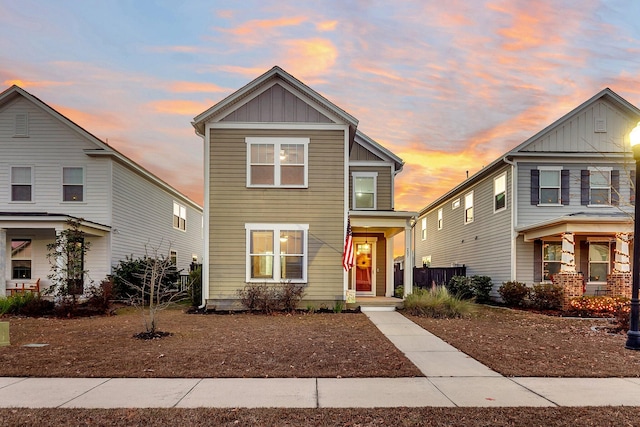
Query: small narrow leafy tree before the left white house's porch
[66,256]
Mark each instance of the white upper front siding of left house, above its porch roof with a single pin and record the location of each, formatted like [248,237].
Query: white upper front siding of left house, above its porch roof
[50,146]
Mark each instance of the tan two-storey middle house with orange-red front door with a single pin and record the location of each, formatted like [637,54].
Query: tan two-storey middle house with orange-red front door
[284,170]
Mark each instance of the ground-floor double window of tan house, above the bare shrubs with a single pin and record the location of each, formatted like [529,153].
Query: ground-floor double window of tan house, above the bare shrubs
[277,252]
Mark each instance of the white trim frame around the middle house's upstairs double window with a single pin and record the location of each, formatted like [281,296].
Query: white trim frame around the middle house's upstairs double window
[277,142]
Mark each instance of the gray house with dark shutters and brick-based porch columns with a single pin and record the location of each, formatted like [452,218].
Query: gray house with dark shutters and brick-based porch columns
[560,201]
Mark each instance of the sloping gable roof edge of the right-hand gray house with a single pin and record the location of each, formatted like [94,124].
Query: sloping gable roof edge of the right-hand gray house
[520,150]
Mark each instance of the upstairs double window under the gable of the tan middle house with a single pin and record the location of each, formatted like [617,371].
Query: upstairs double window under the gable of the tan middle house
[277,162]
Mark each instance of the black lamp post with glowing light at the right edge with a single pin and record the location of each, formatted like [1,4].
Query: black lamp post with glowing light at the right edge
[633,335]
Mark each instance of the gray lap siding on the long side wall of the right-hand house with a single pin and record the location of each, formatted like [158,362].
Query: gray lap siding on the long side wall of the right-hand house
[483,246]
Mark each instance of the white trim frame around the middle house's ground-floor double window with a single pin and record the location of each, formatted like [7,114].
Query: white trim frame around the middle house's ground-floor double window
[276,228]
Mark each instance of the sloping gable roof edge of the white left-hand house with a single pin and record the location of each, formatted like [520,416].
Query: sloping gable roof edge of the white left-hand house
[102,148]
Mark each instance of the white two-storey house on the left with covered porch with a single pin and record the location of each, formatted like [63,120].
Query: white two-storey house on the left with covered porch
[52,170]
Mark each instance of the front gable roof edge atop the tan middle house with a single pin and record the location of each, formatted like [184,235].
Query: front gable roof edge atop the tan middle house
[274,73]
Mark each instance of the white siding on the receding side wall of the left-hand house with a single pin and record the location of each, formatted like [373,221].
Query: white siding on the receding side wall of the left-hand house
[143,221]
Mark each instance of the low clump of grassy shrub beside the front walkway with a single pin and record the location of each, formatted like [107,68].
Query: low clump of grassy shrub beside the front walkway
[437,303]
